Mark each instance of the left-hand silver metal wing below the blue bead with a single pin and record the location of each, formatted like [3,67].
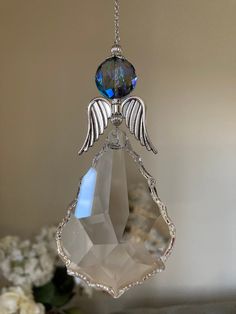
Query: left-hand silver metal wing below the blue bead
[99,112]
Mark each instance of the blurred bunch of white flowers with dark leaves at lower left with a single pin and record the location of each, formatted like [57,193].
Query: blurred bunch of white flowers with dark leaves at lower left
[40,284]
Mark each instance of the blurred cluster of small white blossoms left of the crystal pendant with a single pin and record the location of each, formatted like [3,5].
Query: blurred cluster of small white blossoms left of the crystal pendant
[26,262]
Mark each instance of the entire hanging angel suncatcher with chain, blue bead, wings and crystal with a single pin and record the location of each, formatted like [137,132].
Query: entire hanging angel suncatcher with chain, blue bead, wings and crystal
[103,240]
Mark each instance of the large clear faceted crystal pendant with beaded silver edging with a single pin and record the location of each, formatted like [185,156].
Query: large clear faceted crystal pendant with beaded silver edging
[107,241]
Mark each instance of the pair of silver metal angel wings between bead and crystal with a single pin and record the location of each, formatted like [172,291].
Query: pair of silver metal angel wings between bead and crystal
[131,109]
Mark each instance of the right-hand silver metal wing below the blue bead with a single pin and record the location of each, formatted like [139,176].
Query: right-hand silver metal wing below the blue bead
[134,113]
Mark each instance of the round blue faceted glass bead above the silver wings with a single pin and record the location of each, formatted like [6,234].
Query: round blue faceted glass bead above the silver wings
[115,78]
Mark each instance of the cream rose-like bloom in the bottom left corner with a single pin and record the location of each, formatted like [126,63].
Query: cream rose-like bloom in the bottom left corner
[14,301]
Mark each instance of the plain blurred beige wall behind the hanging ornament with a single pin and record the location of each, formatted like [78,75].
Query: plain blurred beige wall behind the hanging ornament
[185,55]
